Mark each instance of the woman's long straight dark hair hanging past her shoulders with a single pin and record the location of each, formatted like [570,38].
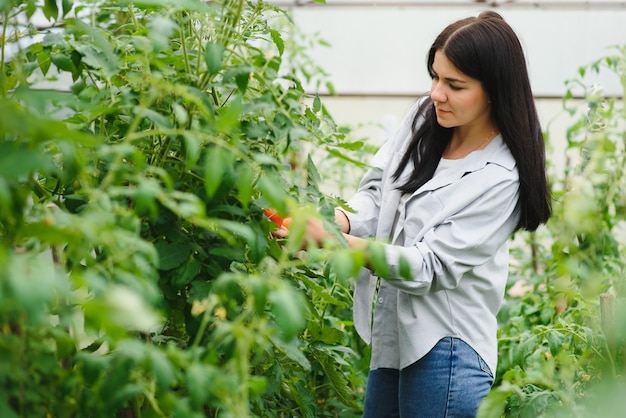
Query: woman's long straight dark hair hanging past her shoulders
[487,49]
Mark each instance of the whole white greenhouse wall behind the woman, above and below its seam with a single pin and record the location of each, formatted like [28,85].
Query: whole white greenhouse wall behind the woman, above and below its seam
[377,51]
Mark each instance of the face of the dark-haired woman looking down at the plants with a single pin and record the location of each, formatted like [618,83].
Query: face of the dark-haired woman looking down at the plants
[459,100]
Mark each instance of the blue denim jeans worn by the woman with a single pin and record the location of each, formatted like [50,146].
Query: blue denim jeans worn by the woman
[450,381]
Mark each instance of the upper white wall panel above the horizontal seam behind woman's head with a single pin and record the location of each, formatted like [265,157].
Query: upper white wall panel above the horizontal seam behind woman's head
[380,48]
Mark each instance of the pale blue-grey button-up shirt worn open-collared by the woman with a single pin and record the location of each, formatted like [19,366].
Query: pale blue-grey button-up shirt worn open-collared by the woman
[453,233]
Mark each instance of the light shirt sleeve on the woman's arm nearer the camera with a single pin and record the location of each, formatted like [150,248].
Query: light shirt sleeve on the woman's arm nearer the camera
[464,240]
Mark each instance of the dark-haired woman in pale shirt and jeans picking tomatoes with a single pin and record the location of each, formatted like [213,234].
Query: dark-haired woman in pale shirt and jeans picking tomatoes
[445,194]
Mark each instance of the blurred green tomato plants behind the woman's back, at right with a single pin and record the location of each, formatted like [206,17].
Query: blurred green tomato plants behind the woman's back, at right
[563,339]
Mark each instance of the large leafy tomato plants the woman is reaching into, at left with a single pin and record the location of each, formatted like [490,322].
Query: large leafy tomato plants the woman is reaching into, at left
[139,276]
